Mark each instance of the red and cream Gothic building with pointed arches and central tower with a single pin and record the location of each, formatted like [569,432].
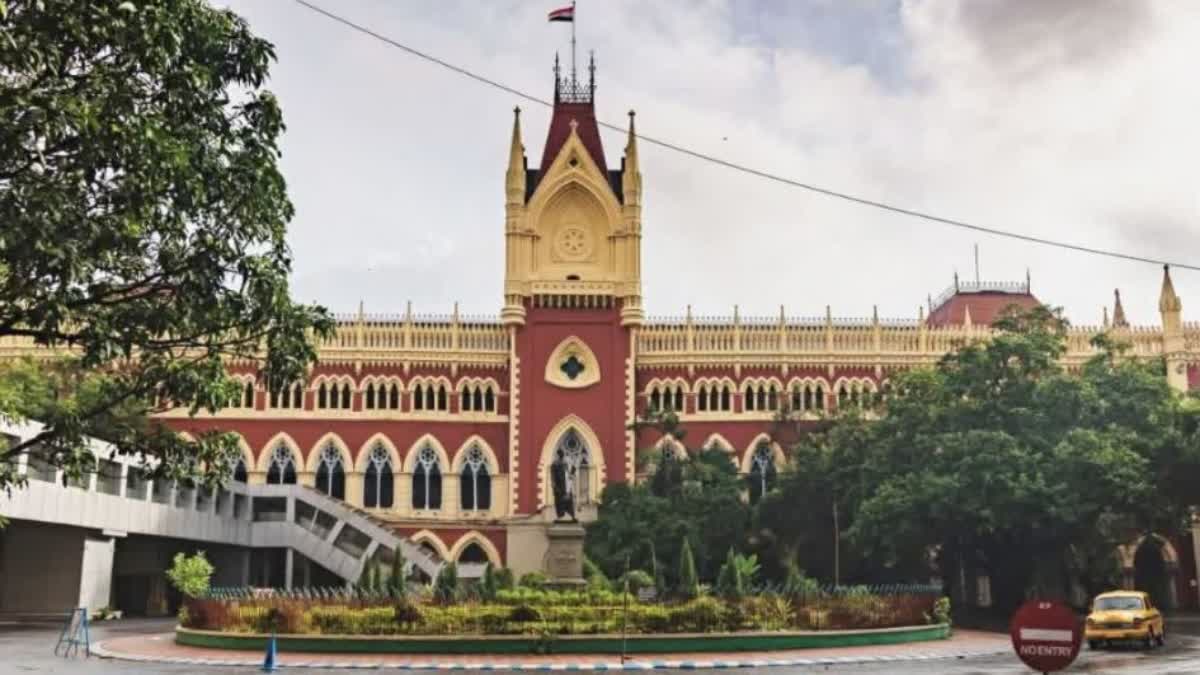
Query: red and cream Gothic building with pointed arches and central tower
[448,431]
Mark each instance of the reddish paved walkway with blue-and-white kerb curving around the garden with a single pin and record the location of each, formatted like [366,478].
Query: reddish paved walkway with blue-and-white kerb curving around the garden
[163,649]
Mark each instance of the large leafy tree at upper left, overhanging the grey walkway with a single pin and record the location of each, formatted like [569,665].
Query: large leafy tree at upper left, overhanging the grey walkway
[142,228]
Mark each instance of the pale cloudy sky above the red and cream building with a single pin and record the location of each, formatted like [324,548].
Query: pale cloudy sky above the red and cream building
[1073,121]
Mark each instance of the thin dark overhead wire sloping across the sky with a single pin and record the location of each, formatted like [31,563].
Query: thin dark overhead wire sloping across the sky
[745,169]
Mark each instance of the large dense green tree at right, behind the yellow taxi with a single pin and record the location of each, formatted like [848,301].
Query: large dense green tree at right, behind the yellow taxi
[1001,461]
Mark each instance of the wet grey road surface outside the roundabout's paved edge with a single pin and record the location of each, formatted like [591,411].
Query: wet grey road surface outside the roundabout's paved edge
[29,650]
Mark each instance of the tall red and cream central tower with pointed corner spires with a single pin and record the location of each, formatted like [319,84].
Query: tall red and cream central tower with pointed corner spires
[573,302]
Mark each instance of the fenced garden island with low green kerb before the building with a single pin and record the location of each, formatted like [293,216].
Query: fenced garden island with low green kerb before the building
[496,616]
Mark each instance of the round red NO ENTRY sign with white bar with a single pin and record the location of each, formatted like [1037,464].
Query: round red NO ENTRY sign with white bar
[1046,636]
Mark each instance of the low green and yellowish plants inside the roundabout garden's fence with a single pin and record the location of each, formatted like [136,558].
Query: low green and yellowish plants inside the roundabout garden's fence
[542,614]
